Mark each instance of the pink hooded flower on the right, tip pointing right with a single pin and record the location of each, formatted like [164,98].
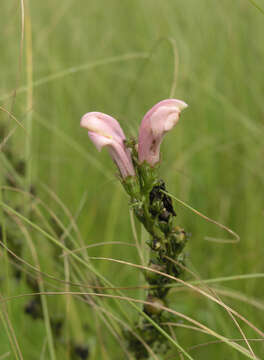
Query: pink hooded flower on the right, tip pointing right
[160,119]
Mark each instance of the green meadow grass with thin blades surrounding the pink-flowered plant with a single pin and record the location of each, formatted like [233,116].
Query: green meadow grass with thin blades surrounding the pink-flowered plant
[121,57]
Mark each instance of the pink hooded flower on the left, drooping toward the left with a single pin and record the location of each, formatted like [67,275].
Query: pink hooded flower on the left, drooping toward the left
[104,130]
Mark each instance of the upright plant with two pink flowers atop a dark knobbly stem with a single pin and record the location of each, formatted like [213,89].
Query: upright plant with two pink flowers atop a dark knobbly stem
[137,163]
